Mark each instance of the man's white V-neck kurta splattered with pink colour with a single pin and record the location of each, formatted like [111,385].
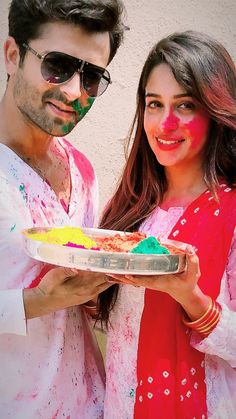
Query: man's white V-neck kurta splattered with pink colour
[50,367]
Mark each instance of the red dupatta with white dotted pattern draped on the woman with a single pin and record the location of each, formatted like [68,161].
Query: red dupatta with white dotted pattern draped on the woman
[170,371]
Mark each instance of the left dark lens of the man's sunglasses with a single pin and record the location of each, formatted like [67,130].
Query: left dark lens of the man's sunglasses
[56,68]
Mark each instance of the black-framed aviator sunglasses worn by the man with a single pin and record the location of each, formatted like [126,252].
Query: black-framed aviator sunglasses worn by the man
[58,68]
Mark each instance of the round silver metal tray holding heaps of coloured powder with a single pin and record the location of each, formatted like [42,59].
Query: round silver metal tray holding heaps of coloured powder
[101,261]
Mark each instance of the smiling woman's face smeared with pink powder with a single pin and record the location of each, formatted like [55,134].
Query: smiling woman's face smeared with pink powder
[175,124]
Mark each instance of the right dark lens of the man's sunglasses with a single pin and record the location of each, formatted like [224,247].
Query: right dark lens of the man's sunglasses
[95,80]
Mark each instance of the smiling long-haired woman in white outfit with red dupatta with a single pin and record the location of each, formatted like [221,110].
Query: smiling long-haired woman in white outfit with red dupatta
[176,357]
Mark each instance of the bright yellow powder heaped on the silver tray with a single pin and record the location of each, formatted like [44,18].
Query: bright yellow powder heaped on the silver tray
[63,236]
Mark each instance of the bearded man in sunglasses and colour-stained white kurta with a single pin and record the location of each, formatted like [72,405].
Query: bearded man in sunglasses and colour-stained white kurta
[56,57]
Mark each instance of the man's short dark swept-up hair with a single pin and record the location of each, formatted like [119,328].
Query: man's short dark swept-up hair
[26,18]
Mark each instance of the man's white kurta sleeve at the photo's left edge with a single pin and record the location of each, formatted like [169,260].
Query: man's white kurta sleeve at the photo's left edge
[12,314]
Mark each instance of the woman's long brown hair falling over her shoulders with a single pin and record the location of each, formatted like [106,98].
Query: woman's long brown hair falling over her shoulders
[205,69]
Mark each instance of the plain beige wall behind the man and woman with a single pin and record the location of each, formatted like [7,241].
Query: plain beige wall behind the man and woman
[101,134]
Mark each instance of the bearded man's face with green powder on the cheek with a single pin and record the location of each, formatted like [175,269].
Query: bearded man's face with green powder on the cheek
[56,109]
